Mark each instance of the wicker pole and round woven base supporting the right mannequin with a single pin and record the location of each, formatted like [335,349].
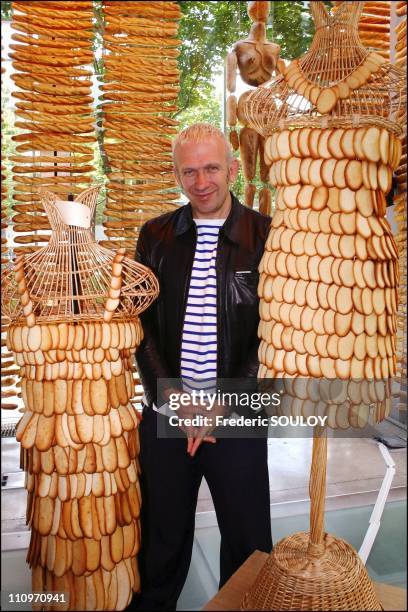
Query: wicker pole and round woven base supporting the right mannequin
[313,570]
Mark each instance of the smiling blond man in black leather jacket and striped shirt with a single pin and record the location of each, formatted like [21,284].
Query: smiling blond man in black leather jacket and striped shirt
[204,324]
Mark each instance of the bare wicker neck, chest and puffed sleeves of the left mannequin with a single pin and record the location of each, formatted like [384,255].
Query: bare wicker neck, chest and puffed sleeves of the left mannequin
[70,278]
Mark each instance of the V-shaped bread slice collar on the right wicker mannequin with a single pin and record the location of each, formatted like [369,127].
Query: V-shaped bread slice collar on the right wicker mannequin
[326,98]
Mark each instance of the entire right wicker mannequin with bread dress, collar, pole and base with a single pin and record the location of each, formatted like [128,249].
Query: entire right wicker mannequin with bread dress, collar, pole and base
[329,275]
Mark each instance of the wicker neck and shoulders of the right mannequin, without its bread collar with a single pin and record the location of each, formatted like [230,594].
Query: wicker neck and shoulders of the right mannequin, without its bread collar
[335,54]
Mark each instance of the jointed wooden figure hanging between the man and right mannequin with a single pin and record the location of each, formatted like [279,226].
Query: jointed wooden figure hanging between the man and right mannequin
[256,59]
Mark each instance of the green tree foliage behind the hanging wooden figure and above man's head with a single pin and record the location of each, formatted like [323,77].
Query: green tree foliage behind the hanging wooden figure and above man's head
[208,31]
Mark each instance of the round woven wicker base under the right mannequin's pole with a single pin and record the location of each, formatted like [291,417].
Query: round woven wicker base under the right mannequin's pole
[293,579]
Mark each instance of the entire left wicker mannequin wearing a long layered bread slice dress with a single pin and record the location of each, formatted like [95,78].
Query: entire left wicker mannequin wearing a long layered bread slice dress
[74,309]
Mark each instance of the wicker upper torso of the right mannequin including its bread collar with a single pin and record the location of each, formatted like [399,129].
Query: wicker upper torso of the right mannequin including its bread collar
[353,84]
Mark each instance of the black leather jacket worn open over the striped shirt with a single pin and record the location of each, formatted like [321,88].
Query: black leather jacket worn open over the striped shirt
[167,245]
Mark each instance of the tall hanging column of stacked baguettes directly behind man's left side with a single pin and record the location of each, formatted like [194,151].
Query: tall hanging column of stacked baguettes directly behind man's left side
[140,63]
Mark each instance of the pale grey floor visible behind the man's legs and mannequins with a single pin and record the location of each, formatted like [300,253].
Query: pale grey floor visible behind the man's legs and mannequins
[355,472]
